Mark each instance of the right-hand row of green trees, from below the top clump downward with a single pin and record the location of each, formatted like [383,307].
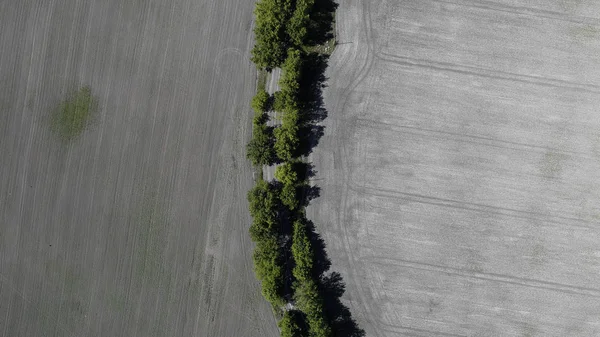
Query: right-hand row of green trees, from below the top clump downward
[290,173]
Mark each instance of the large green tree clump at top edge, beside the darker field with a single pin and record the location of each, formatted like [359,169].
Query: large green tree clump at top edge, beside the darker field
[270,33]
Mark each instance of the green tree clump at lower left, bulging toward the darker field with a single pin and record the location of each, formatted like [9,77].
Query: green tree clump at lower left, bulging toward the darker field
[268,266]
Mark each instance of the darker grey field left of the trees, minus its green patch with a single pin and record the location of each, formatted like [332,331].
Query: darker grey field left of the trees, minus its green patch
[139,227]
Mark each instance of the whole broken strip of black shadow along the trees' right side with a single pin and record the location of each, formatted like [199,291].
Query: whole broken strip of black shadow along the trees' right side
[312,83]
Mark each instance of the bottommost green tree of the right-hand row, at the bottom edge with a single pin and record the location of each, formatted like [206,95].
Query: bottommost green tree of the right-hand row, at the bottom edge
[310,302]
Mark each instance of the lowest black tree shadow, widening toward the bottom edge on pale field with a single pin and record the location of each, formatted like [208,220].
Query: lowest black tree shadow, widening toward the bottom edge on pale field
[332,287]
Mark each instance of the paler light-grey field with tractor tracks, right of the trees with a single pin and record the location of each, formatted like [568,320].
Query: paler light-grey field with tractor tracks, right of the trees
[460,167]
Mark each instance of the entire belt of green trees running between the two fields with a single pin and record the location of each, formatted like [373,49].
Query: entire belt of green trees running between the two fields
[284,257]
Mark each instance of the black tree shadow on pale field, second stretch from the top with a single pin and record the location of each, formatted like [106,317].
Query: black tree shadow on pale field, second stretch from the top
[312,83]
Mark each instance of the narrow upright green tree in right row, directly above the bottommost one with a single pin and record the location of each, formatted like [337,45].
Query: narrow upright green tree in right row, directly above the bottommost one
[302,252]
